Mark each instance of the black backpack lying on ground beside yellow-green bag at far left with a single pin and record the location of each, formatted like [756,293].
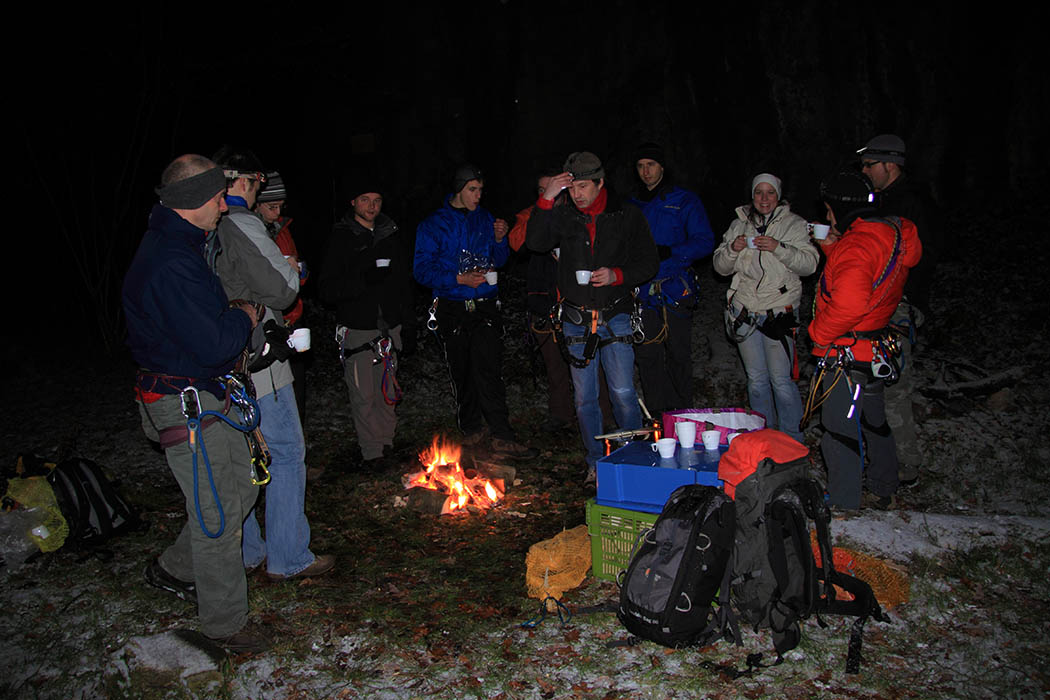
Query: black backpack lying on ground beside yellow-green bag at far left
[94,510]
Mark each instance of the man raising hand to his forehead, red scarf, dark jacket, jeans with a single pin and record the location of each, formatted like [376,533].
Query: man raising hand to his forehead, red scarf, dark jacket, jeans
[606,250]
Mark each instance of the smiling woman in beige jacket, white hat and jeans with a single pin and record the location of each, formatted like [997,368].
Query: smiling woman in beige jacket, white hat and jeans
[767,250]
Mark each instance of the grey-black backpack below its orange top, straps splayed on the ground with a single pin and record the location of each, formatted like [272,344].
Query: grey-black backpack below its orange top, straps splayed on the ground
[775,581]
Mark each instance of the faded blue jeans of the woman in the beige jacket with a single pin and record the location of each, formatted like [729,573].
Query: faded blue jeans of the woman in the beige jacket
[771,391]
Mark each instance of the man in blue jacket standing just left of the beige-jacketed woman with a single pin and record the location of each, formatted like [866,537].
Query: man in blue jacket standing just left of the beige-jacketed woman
[683,235]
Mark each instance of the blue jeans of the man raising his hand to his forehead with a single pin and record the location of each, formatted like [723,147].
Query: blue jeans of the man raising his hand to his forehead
[618,359]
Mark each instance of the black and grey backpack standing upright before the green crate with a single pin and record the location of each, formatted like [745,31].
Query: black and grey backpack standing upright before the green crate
[679,569]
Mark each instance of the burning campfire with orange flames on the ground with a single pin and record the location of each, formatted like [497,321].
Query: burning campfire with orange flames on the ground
[463,490]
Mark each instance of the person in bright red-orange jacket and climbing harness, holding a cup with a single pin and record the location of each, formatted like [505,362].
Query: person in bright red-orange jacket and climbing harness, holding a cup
[869,260]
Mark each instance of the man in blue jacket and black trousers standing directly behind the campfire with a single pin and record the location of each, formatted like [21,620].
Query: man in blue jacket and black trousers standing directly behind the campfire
[458,249]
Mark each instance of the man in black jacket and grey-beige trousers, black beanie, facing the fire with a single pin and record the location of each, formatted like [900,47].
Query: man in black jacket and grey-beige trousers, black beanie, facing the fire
[367,278]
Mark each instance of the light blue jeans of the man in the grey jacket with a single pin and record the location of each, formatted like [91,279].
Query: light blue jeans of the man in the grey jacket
[287,545]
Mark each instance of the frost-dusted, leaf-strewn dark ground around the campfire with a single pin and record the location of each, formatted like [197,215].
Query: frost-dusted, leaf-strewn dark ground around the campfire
[428,606]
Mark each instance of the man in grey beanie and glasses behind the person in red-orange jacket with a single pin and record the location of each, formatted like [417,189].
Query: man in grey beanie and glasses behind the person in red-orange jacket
[885,160]
